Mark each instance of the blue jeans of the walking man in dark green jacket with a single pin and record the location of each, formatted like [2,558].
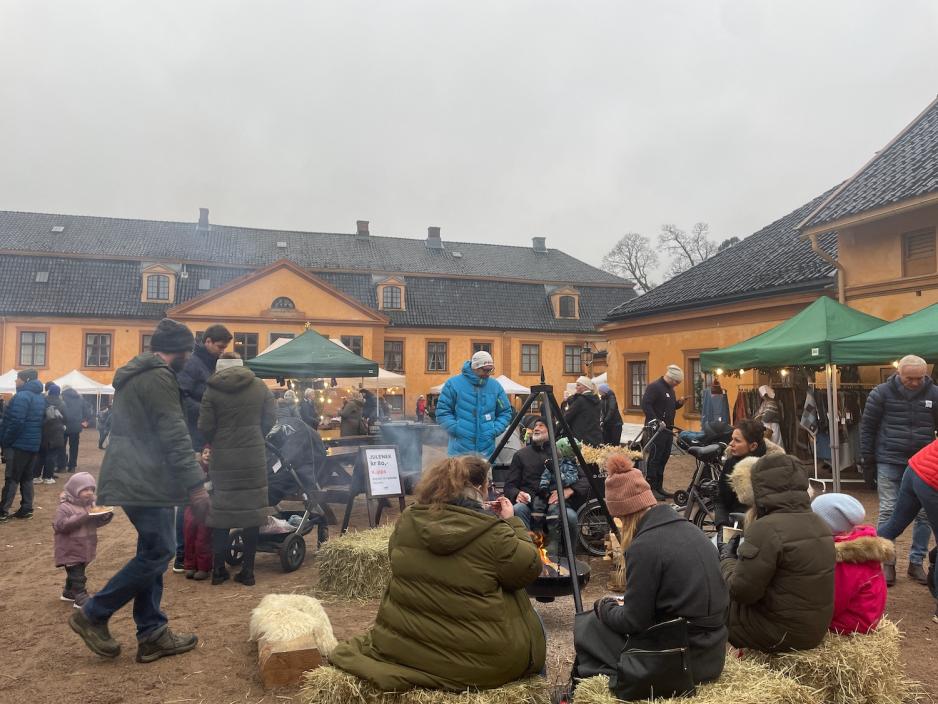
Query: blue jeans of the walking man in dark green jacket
[141,579]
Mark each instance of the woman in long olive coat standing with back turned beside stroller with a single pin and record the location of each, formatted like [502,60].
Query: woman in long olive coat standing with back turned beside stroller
[236,413]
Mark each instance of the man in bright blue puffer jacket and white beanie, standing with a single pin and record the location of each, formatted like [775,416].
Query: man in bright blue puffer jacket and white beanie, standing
[473,408]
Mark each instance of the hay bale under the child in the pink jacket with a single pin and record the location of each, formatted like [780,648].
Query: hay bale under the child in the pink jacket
[850,669]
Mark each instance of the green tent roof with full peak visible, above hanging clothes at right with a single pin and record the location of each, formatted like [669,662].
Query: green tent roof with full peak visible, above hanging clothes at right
[804,340]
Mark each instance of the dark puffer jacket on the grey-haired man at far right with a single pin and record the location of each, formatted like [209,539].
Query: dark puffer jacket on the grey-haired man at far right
[896,422]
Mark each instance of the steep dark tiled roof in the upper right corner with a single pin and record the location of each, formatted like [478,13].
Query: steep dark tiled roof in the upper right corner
[906,168]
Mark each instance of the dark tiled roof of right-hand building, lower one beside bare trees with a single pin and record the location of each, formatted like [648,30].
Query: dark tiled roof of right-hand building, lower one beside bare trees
[773,260]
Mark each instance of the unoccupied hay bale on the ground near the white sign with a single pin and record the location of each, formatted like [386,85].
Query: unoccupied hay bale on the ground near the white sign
[355,565]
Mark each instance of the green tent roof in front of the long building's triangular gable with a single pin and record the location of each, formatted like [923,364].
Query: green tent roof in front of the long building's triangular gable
[311,355]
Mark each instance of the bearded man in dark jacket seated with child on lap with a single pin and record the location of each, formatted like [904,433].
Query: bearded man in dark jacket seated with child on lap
[523,485]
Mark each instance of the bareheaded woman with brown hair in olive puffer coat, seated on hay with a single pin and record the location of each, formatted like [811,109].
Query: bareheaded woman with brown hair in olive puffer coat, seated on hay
[455,614]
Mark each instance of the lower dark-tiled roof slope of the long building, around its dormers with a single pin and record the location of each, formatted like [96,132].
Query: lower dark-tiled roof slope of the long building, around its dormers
[81,287]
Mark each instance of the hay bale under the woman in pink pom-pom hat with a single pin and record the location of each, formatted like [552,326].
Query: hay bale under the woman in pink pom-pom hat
[742,682]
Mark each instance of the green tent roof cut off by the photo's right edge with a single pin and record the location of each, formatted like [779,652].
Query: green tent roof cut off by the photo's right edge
[914,334]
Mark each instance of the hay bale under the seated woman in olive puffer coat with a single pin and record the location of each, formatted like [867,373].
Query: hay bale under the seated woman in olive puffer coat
[329,685]
